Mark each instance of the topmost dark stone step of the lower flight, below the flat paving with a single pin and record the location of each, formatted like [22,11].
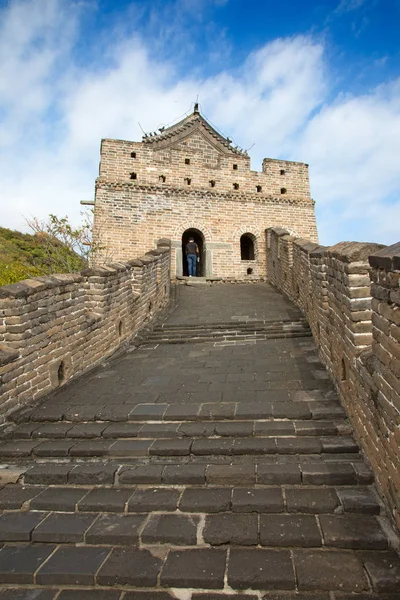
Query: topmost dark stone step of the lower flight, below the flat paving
[206,411]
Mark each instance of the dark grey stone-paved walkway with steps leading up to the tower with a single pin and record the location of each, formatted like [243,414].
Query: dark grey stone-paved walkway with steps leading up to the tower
[218,469]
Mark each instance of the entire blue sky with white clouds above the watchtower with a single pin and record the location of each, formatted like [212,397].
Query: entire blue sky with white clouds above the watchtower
[317,82]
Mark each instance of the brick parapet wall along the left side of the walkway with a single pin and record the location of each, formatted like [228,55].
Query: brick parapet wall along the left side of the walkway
[55,328]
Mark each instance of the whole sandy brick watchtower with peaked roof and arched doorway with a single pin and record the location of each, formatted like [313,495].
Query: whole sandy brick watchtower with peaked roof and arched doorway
[188,180]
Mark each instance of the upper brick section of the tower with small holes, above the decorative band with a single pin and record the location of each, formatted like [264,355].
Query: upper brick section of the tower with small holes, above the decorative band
[153,165]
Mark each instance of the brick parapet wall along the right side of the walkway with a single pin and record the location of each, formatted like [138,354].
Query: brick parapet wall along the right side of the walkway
[350,295]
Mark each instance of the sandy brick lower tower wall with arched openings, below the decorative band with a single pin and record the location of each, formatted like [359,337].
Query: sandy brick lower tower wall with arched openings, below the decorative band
[131,220]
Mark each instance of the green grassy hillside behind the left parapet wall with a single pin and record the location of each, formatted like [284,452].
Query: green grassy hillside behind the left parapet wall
[23,255]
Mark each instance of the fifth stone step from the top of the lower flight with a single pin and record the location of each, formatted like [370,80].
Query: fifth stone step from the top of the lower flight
[191,499]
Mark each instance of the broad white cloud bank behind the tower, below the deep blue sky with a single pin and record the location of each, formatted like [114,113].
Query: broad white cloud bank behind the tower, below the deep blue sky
[278,99]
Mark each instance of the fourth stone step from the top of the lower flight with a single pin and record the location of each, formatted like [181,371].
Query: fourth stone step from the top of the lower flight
[253,471]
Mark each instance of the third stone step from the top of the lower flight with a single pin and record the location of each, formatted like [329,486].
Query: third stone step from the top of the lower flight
[126,448]
